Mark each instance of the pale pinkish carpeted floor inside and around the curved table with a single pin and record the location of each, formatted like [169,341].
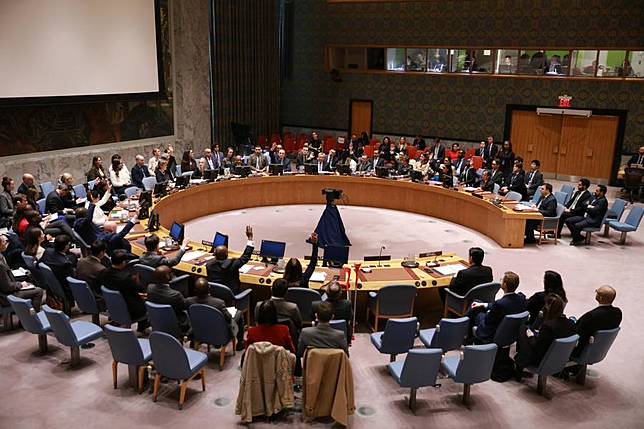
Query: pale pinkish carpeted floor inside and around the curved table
[42,391]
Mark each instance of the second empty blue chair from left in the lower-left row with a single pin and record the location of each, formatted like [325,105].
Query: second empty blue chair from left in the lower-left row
[74,334]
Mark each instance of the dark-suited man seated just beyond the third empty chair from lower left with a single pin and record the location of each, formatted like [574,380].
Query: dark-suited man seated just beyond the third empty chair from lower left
[119,277]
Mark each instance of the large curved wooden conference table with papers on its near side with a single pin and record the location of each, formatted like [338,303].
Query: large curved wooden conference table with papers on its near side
[499,222]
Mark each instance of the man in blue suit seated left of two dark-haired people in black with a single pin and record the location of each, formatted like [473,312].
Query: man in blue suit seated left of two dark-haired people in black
[487,317]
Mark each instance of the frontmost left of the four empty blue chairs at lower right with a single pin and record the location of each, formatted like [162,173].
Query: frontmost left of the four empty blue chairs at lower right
[419,369]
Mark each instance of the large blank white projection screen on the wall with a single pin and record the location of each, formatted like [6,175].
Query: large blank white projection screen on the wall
[54,48]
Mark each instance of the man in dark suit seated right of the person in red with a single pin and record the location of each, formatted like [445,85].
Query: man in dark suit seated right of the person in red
[323,335]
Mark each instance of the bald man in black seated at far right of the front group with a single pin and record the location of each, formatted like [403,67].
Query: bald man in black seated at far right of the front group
[605,316]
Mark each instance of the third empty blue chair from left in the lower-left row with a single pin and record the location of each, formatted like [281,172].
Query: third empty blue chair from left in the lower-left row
[130,350]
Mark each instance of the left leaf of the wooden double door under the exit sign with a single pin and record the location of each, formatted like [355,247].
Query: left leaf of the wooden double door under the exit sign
[536,137]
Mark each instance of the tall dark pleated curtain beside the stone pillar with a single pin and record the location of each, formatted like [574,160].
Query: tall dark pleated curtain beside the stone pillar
[245,61]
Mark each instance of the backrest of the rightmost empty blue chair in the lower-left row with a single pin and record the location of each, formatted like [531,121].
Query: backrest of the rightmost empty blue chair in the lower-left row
[169,357]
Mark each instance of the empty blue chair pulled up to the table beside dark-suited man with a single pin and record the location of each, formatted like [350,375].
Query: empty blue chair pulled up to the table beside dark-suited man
[391,301]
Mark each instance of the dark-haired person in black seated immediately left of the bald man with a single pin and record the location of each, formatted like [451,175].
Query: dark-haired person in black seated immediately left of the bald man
[532,344]
